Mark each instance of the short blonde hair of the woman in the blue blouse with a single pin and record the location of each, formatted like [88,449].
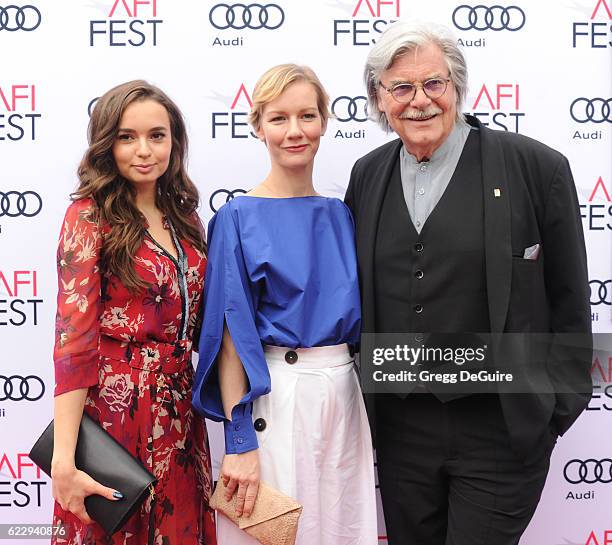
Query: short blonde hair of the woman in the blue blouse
[274,82]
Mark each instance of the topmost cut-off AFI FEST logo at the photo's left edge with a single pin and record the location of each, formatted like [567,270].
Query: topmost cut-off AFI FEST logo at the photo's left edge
[18,114]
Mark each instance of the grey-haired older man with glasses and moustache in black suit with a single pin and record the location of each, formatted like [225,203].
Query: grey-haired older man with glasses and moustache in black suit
[461,229]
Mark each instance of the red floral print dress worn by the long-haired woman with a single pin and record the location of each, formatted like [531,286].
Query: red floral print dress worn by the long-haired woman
[133,353]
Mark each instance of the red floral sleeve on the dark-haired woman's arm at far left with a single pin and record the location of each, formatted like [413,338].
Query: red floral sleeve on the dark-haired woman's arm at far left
[78,300]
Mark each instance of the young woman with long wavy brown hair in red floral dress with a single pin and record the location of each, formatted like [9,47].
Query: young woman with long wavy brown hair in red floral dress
[131,263]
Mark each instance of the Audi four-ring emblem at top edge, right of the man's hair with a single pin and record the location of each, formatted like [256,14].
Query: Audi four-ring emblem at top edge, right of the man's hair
[488,18]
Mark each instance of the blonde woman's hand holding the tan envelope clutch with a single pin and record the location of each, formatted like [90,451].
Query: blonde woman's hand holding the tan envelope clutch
[241,472]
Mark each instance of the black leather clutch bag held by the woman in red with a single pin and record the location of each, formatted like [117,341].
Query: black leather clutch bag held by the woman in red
[104,459]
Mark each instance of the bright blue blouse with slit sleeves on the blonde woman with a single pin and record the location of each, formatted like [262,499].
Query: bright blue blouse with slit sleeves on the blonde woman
[280,272]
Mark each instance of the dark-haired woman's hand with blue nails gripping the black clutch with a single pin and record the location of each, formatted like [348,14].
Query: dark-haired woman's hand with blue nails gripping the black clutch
[70,487]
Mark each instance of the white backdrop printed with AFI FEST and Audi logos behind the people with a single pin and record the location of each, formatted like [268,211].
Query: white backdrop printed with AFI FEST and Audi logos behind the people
[541,68]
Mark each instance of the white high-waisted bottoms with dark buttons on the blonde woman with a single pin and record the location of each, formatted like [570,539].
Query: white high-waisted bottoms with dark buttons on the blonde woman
[316,448]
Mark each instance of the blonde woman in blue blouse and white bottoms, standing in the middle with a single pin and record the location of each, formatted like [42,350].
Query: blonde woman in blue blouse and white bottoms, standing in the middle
[281,309]
